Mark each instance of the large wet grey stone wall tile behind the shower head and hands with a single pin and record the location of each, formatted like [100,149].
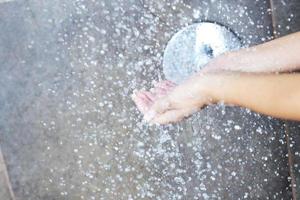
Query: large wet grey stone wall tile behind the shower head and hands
[68,129]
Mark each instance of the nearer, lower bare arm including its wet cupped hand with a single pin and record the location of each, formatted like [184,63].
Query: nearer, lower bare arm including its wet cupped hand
[271,94]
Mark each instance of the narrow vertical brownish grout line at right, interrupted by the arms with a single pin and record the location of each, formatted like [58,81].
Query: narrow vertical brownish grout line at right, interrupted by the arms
[286,125]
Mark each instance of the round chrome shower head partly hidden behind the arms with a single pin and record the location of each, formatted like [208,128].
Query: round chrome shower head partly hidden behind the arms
[194,46]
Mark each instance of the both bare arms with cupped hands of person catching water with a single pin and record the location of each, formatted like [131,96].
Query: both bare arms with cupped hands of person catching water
[161,104]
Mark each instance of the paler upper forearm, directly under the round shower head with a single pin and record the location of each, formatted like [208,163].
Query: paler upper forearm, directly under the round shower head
[275,56]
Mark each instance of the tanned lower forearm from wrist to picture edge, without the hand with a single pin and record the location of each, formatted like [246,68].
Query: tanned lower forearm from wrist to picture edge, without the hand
[274,95]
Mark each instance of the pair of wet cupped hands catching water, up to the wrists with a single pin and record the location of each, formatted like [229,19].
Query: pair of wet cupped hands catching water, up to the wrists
[174,103]
